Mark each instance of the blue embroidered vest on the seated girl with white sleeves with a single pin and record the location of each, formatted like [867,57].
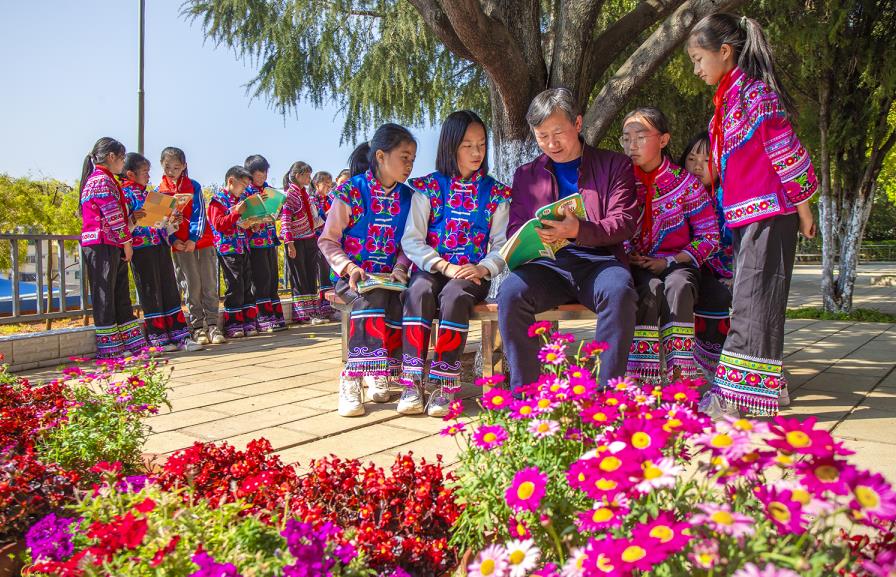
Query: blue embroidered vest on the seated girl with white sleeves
[460,214]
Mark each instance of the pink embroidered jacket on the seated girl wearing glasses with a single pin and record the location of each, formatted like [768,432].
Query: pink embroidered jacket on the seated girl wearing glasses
[683,219]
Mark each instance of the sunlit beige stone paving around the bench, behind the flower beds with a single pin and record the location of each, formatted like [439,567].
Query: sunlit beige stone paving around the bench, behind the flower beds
[284,387]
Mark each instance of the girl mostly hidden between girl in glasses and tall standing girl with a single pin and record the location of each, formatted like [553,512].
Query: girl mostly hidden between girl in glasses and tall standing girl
[711,313]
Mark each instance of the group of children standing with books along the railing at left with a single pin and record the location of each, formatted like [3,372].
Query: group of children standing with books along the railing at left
[183,256]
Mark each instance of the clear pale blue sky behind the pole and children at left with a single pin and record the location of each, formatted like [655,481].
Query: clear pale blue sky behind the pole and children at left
[70,76]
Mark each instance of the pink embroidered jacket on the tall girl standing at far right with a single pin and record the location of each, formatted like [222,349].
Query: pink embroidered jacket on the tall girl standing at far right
[765,171]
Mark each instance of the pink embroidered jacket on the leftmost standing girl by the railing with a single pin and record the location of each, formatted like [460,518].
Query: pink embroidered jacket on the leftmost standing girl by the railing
[103,211]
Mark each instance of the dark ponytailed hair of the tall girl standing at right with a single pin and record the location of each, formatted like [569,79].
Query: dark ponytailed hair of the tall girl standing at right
[752,52]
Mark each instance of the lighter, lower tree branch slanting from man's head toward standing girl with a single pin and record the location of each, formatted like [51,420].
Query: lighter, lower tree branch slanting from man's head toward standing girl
[644,62]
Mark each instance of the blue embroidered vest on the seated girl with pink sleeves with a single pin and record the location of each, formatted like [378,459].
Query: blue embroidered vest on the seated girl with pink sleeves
[373,237]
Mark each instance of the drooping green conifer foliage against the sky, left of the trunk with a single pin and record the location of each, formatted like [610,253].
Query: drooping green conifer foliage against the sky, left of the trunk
[376,59]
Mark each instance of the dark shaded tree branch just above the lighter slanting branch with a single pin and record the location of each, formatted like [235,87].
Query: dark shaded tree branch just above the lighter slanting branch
[605,47]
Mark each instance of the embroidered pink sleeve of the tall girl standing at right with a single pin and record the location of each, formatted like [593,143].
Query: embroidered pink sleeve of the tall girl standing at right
[789,158]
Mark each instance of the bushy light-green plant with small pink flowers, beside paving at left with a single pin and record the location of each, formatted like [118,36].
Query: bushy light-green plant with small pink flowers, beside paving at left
[105,422]
